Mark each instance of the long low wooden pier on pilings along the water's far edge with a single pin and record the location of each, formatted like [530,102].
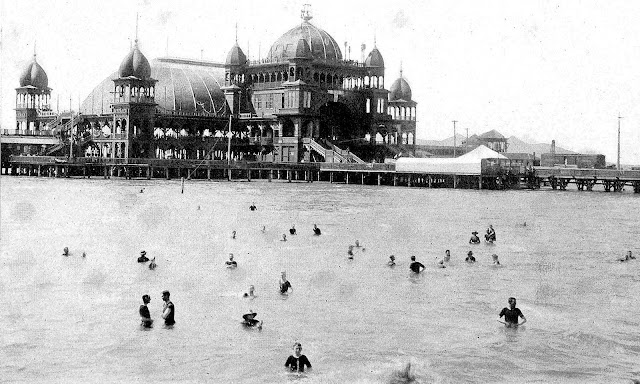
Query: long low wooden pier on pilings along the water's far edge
[501,176]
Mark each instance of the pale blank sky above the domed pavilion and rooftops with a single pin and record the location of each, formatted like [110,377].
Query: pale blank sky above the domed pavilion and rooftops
[538,70]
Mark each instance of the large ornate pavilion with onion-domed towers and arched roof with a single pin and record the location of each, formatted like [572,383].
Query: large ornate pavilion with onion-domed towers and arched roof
[303,102]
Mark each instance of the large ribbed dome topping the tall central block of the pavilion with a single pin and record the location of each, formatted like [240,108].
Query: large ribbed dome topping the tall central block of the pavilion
[322,45]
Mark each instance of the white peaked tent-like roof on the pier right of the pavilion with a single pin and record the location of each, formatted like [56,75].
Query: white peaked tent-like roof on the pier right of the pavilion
[467,164]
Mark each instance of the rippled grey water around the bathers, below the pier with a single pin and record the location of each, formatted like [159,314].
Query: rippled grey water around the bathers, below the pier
[69,319]
